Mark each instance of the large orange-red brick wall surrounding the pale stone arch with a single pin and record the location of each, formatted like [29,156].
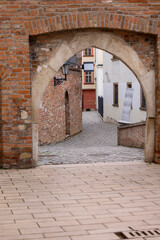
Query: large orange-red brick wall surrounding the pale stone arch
[135,20]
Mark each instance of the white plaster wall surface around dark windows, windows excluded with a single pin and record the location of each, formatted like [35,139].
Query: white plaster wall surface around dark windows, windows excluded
[116,71]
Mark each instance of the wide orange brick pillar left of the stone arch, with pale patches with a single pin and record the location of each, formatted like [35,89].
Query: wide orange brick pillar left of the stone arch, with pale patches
[15,105]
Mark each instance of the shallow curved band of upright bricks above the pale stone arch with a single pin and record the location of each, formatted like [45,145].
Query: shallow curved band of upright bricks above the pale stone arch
[91,19]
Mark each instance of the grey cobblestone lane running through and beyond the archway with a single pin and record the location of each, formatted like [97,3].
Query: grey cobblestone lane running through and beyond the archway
[96,143]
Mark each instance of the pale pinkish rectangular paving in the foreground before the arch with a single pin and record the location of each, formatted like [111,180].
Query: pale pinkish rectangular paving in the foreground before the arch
[80,202]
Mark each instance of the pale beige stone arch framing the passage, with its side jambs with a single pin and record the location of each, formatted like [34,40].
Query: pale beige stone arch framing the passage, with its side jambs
[112,44]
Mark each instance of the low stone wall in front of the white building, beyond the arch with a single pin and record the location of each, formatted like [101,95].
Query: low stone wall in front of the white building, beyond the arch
[132,135]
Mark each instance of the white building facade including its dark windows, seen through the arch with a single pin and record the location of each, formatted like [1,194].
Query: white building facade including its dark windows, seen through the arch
[112,79]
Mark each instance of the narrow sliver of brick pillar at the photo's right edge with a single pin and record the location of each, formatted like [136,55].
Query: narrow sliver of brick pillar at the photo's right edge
[157,123]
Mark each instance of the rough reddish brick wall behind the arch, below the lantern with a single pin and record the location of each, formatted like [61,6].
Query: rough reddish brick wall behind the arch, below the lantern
[52,122]
